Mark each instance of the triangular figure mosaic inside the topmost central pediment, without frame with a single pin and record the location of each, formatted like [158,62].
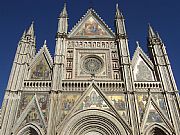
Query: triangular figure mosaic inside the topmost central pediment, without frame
[91,28]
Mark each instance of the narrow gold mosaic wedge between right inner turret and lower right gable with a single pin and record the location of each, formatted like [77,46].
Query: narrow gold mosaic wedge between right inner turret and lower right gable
[142,103]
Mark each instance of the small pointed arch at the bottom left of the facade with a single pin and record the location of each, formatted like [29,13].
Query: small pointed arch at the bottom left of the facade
[30,129]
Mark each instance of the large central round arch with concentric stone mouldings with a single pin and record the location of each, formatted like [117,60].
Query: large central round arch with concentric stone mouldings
[92,122]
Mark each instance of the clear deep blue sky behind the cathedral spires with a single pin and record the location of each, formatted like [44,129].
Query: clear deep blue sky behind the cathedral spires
[17,15]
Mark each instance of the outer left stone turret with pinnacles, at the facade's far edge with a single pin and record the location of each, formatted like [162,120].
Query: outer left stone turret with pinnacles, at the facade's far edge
[25,52]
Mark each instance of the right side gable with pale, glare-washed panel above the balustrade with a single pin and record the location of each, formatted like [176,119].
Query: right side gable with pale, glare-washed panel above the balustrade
[142,66]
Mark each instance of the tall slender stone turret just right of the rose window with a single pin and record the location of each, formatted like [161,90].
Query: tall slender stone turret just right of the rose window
[125,62]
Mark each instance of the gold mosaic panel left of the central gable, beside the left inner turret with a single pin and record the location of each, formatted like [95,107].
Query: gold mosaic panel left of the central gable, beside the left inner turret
[68,101]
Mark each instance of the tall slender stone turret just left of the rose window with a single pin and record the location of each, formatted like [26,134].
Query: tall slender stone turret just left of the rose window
[58,71]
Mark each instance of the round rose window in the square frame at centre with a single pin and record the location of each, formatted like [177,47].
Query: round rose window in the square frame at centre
[92,64]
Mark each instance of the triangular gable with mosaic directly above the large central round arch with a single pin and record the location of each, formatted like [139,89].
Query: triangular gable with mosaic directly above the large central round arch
[94,99]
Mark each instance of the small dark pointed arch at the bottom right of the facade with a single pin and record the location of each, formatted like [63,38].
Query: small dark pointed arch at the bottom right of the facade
[157,129]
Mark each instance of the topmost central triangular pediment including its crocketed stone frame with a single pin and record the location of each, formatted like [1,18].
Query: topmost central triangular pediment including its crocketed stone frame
[91,26]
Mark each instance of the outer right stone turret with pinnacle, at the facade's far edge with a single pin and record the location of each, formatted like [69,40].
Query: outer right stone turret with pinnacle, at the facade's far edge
[164,73]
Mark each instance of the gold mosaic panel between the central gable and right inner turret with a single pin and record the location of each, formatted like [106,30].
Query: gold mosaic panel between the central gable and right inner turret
[119,103]
